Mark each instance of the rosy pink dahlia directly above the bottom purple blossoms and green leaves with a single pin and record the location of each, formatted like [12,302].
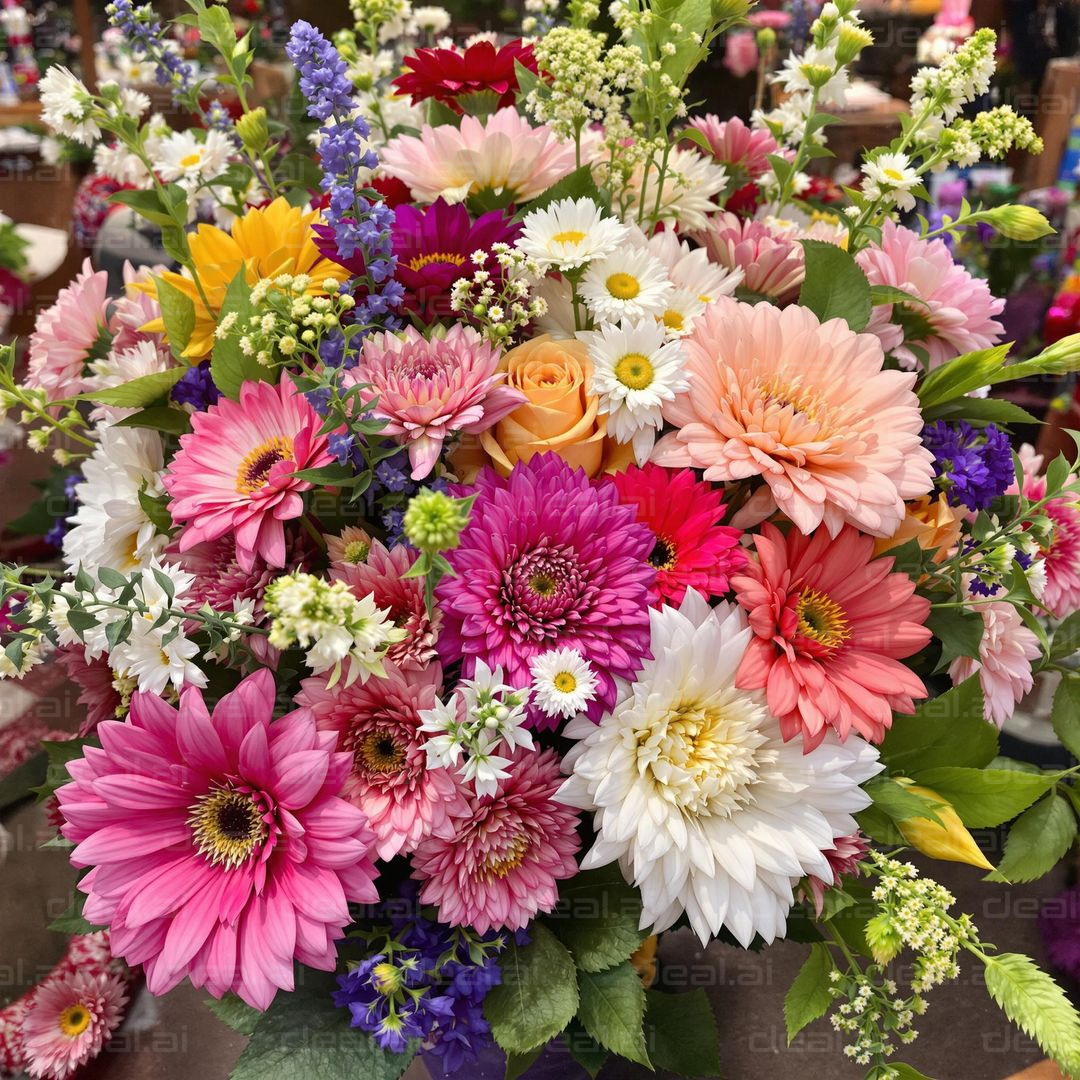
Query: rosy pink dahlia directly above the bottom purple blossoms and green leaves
[508,852]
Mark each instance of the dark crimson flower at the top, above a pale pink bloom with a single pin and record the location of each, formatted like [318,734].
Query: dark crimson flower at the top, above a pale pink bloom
[450,75]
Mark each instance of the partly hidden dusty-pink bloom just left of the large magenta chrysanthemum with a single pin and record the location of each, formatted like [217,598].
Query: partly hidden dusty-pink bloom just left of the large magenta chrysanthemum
[383,576]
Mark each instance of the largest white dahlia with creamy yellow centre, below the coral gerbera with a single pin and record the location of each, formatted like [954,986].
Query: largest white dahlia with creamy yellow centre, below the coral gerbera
[696,794]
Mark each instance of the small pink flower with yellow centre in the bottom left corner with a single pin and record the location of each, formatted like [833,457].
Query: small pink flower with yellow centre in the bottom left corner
[70,1020]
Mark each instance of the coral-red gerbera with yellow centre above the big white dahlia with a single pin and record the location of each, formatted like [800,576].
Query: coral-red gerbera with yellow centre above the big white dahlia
[832,626]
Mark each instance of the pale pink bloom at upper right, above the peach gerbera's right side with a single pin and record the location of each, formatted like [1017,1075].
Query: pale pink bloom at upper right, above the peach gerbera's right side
[957,308]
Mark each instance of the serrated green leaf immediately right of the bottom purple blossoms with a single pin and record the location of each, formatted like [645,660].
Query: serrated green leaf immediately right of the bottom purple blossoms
[538,996]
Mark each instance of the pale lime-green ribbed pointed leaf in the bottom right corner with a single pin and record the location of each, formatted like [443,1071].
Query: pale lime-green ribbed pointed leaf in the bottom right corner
[1036,1005]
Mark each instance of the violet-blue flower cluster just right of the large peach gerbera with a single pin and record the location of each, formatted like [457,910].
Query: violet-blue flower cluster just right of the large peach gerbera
[974,466]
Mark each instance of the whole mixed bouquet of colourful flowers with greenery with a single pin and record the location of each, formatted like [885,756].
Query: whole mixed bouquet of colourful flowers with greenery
[522,524]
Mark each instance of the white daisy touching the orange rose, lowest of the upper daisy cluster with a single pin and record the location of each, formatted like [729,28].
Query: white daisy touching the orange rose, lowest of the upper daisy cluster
[636,371]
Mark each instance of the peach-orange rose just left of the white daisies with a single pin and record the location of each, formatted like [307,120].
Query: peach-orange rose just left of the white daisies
[560,415]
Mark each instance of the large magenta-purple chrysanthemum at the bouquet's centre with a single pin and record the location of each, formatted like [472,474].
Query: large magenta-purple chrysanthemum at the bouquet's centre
[549,561]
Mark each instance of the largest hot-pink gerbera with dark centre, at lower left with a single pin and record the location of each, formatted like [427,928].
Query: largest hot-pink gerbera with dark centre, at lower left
[220,848]
